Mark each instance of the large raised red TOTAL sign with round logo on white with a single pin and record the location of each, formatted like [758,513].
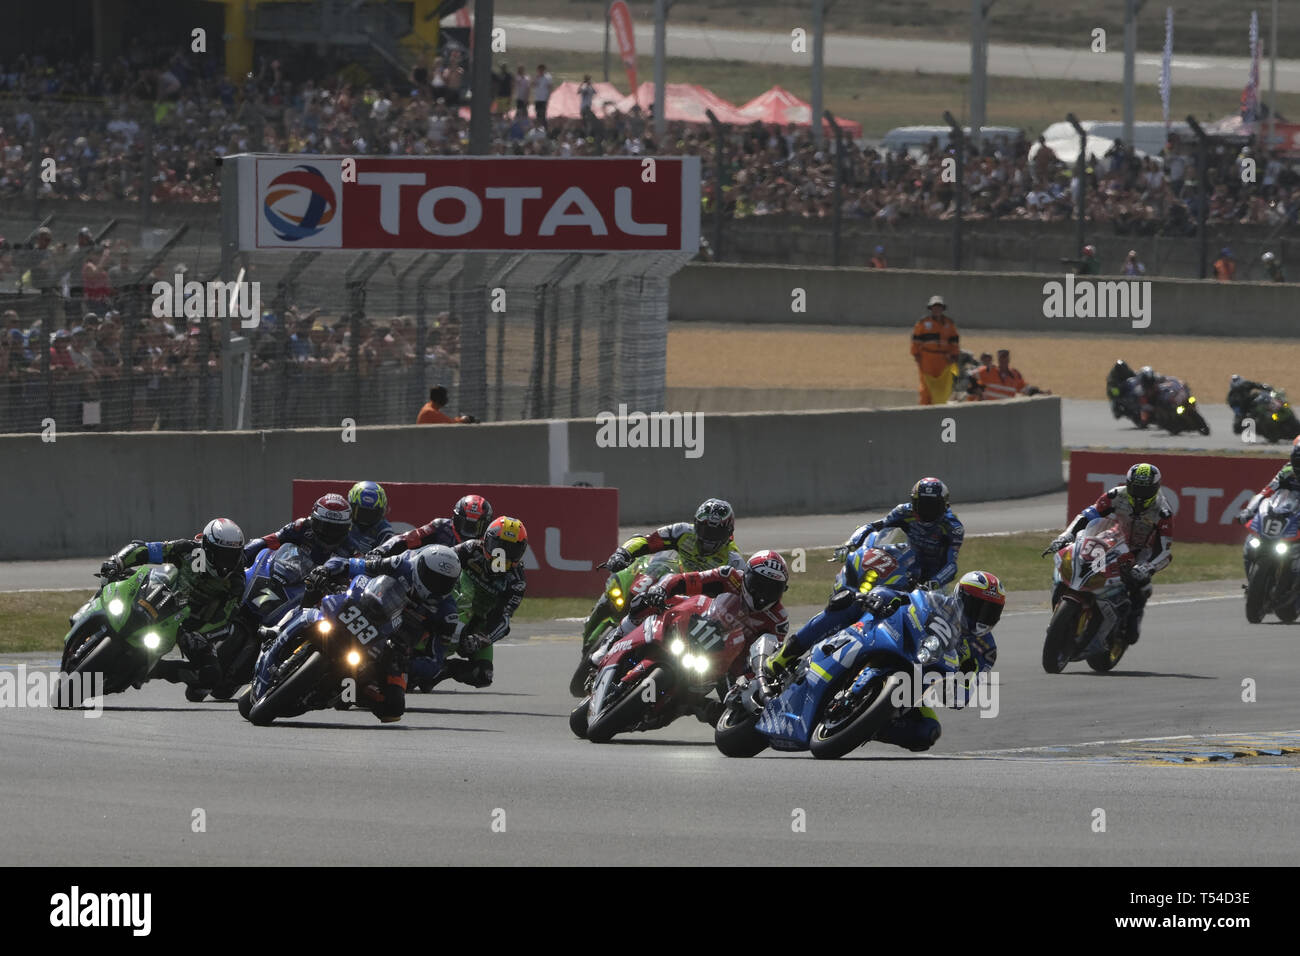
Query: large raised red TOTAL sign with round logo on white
[469,204]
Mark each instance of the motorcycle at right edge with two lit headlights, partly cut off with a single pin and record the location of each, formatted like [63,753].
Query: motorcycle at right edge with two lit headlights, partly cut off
[1272,559]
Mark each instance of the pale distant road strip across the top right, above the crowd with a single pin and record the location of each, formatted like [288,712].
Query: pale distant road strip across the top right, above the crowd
[902,55]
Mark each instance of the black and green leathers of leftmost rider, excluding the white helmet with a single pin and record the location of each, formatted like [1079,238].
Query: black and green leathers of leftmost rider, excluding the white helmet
[213,602]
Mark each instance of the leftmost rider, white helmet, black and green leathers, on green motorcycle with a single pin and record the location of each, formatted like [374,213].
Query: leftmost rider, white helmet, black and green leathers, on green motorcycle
[210,577]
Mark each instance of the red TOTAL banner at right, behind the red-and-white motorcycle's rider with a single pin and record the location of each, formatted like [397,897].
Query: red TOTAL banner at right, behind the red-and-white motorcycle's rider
[1204,491]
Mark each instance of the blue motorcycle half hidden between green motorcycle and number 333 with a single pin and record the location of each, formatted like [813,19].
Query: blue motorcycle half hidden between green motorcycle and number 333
[274,589]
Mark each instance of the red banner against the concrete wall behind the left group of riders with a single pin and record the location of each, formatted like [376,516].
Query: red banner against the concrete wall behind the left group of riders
[570,530]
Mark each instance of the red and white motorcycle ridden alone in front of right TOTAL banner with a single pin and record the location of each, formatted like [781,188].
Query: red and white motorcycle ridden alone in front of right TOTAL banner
[1090,599]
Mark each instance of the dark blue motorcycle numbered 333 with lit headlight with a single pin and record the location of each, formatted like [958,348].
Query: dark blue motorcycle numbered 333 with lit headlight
[324,654]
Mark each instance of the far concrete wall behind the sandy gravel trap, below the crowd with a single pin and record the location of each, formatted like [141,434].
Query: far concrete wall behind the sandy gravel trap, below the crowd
[723,293]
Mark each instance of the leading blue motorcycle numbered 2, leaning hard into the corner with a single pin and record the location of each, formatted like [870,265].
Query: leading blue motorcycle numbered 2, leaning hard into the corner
[846,690]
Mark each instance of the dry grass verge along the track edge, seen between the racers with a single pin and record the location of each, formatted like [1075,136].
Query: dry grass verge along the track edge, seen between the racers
[38,620]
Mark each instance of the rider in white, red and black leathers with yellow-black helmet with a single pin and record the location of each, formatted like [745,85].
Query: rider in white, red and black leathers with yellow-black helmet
[1149,525]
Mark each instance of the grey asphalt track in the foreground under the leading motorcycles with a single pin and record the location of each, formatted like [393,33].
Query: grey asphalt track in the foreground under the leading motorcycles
[1021,788]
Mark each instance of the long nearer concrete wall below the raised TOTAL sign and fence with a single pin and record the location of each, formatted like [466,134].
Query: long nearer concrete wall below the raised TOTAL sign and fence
[90,494]
